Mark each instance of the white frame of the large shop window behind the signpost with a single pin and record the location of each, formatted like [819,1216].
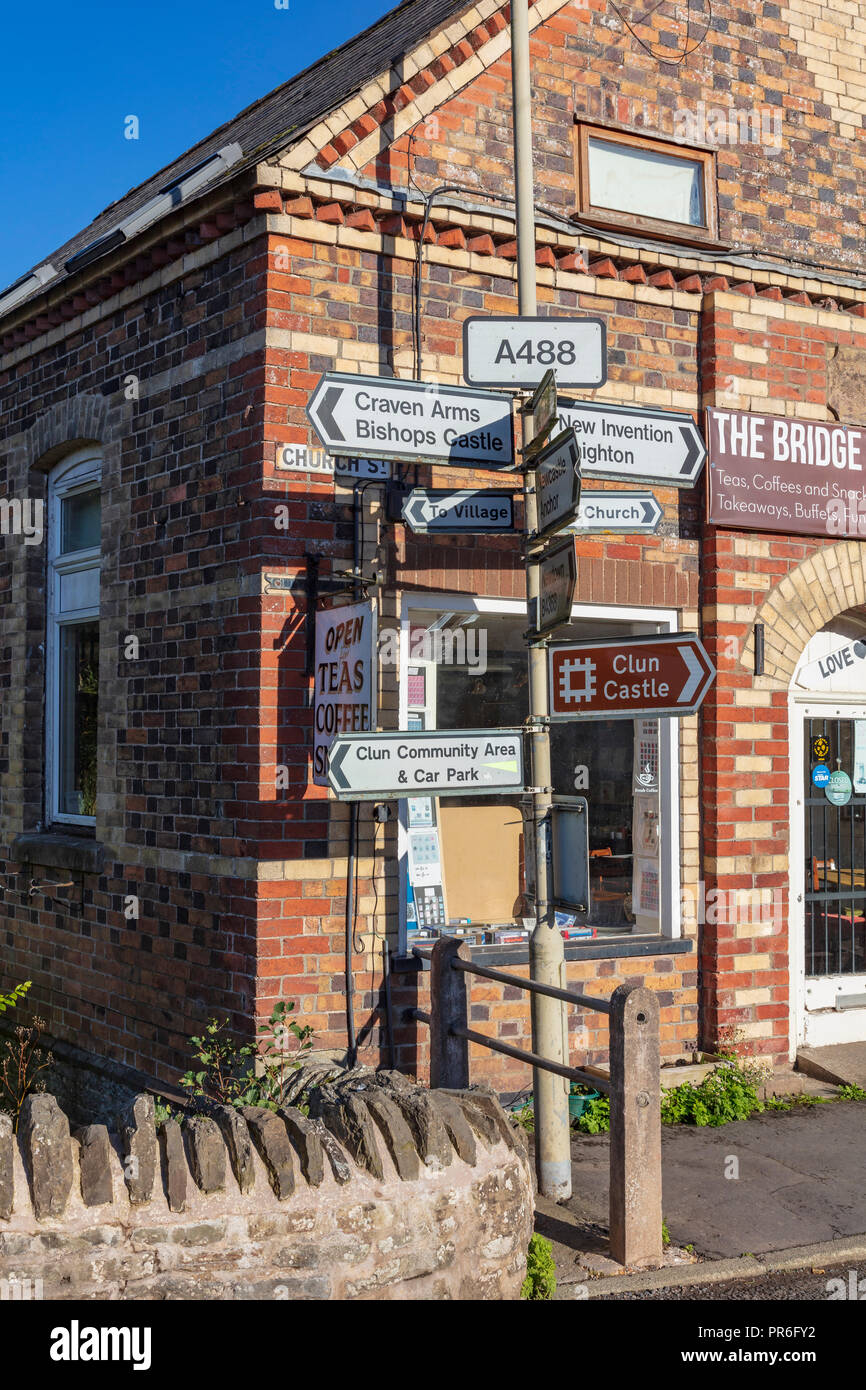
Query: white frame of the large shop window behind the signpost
[668,621]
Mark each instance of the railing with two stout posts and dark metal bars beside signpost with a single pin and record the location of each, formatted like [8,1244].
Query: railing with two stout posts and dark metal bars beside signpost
[633,1086]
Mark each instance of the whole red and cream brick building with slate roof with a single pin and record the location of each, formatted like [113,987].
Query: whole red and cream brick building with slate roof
[166,850]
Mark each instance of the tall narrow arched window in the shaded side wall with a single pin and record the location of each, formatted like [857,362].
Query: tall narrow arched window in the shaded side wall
[73,640]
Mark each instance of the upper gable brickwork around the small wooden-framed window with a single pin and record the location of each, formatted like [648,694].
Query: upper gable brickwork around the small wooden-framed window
[800,201]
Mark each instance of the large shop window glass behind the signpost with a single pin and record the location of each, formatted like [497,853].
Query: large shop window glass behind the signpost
[468,864]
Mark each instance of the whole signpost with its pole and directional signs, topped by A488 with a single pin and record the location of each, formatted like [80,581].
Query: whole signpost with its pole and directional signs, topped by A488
[389,419]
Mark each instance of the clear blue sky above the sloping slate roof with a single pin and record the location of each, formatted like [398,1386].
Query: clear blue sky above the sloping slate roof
[70,74]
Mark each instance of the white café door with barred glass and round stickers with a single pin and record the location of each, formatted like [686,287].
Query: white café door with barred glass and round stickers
[828,864]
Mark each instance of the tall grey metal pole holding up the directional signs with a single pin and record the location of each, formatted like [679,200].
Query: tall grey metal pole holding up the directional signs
[547,949]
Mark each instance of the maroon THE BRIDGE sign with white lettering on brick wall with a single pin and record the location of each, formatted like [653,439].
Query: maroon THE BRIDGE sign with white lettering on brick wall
[768,473]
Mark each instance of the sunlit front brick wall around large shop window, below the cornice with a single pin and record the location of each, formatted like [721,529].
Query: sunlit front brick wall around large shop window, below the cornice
[302,922]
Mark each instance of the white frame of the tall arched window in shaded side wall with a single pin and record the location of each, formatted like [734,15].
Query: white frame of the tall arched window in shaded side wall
[77,473]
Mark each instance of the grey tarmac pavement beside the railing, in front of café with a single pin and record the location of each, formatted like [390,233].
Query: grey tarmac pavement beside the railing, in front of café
[781,1186]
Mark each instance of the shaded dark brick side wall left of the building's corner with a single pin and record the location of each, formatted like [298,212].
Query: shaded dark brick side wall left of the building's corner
[179,792]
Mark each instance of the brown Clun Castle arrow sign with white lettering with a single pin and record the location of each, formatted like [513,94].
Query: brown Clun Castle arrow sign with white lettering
[629,679]
